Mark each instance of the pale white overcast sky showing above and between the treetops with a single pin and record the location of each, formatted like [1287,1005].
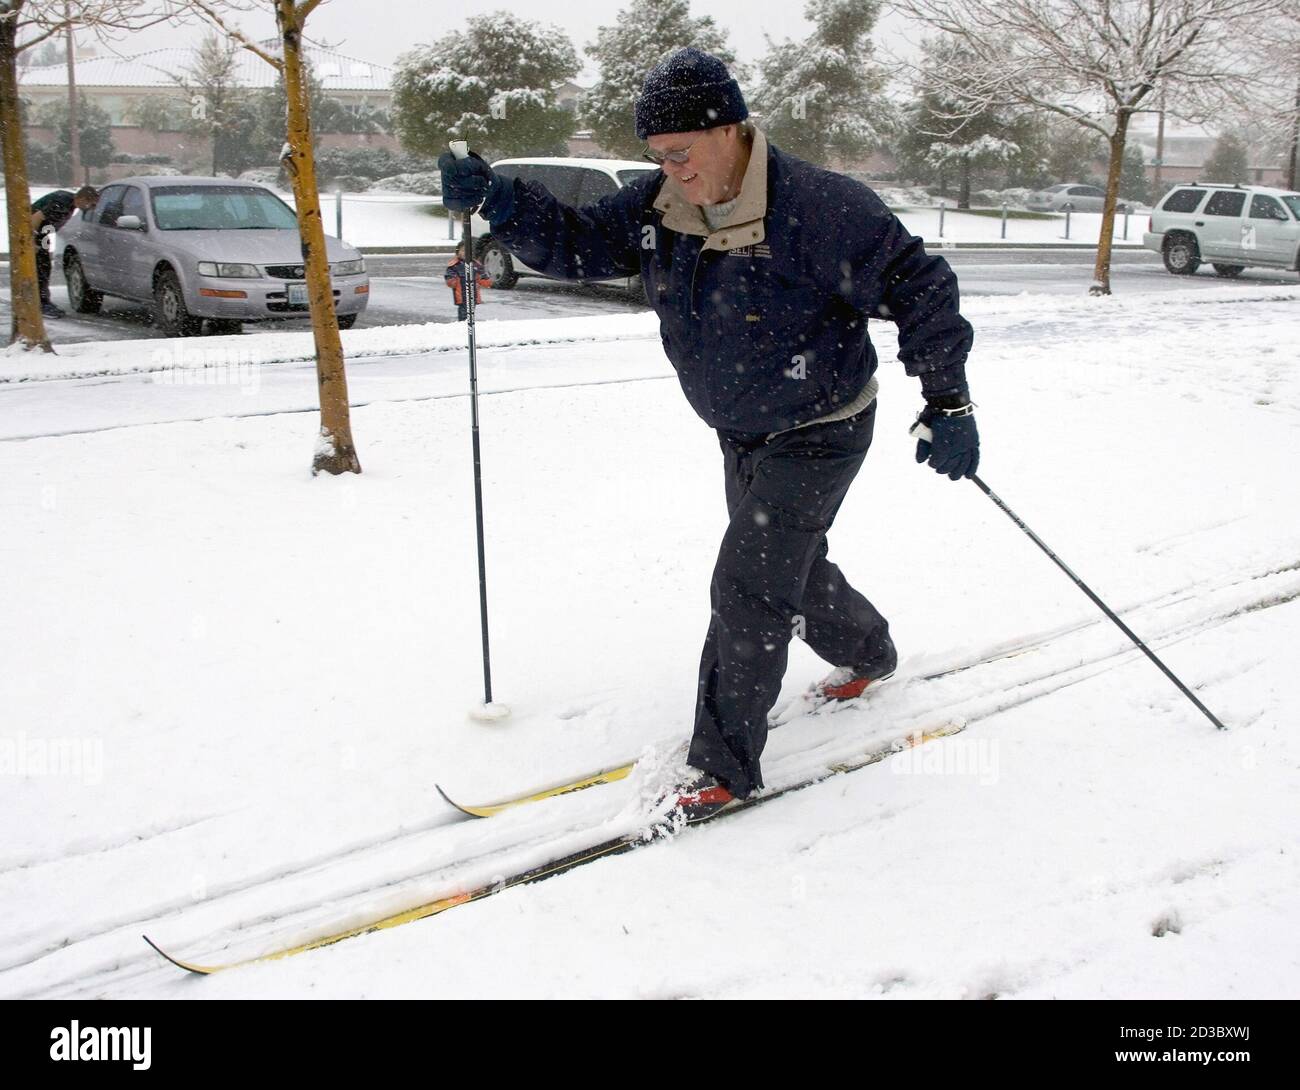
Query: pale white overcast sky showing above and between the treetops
[379,31]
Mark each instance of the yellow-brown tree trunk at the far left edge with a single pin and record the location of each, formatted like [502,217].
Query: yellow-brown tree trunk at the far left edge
[29,327]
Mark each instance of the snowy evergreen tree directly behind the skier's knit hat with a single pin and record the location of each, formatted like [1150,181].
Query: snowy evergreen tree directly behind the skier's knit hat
[644,34]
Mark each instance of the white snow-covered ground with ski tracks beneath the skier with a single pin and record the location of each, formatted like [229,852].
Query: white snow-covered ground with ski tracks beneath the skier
[229,689]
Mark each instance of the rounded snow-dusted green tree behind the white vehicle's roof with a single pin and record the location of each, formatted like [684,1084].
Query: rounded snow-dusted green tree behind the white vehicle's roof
[492,84]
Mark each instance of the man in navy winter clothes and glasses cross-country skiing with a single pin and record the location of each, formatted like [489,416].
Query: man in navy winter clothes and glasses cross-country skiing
[764,271]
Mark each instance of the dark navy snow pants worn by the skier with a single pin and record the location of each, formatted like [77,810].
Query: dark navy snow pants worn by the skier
[773,581]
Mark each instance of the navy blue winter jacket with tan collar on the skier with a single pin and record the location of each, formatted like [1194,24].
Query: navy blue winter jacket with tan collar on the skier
[765,319]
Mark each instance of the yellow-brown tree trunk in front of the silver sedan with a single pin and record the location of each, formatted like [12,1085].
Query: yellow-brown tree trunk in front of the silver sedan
[335,452]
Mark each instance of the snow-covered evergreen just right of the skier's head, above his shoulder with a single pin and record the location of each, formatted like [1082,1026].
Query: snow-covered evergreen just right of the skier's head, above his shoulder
[824,98]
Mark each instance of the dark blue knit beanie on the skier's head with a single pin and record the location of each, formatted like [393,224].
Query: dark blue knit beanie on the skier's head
[687,92]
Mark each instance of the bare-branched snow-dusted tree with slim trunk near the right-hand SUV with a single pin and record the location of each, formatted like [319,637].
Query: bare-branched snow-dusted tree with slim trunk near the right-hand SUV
[1097,63]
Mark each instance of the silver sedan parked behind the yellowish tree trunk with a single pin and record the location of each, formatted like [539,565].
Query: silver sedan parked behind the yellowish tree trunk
[201,249]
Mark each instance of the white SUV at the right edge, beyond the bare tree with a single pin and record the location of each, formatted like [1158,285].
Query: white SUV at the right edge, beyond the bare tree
[1230,227]
